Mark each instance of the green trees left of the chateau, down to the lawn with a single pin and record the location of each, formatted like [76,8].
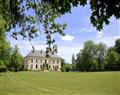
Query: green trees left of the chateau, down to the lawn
[10,58]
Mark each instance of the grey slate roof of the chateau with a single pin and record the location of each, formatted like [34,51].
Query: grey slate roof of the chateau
[39,53]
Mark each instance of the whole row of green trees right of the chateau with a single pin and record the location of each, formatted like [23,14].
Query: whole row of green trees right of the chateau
[98,57]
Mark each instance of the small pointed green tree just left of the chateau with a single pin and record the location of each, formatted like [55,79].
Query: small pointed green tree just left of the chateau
[16,60]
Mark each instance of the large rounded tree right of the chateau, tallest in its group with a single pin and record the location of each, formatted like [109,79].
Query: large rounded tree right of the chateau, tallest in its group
[91,57]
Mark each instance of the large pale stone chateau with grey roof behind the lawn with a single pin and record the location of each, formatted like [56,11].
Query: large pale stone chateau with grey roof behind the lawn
[36,60]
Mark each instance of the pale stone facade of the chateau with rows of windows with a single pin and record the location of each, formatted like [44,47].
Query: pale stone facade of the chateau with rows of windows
[30,63]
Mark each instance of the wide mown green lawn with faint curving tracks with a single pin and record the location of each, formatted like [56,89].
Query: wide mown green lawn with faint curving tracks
[56,83]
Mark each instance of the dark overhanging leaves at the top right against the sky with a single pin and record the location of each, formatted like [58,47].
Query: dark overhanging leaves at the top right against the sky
[101,10]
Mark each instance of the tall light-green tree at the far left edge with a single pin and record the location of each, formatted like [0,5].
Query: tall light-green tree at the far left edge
[5,49]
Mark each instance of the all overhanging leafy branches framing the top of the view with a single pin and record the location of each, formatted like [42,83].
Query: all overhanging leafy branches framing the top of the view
[14,13]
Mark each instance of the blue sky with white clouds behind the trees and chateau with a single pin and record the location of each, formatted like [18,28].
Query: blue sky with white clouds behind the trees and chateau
[79,29]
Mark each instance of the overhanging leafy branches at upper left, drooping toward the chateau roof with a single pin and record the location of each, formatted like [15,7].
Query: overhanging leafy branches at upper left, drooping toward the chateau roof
[32,17]
